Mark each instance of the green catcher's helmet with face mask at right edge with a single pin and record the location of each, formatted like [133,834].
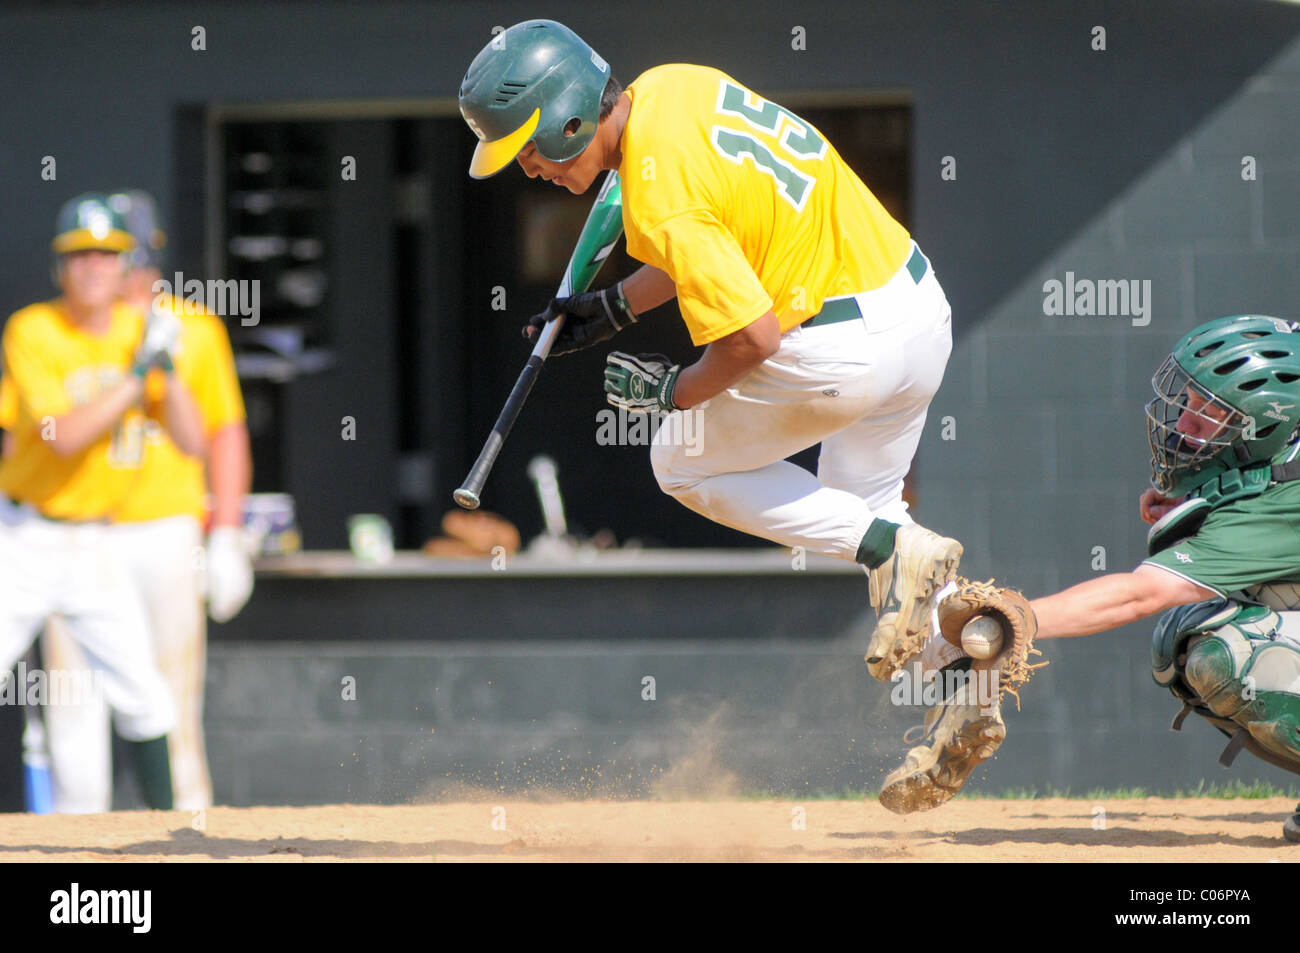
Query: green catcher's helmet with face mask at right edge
[1228,397]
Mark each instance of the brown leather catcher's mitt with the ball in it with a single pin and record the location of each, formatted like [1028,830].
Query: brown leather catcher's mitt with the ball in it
[1020,626]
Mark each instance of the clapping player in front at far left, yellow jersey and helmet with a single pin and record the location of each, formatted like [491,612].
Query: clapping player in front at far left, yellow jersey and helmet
[79,366]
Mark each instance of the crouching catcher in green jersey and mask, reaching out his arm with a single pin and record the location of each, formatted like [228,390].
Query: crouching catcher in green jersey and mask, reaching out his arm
[1225,553]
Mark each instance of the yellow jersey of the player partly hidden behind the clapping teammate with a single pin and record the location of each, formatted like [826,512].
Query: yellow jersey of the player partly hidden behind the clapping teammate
[172,484]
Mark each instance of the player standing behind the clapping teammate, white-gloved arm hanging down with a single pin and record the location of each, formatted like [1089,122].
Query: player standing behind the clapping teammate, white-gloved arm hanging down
[157,532]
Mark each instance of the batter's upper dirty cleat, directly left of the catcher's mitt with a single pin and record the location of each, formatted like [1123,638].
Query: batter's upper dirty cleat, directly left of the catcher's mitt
[902,590]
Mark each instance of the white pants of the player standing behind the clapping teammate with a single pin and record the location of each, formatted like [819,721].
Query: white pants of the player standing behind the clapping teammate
[162,561]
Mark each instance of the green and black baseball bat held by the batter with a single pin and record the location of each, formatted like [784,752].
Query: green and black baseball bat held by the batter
[597,240]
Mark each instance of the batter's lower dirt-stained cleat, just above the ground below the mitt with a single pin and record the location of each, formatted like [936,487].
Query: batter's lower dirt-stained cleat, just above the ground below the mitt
[964,735]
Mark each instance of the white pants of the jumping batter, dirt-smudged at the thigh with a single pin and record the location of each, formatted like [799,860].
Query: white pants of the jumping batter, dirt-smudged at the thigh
[860,388]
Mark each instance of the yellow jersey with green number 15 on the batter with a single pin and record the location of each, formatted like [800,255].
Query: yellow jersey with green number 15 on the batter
[744,205]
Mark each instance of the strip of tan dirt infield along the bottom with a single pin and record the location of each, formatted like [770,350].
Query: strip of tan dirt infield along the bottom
[1208,830]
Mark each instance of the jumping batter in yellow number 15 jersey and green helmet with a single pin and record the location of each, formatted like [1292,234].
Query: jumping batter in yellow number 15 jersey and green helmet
[824,320]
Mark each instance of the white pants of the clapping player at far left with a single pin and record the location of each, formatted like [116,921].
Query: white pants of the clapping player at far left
[71,570]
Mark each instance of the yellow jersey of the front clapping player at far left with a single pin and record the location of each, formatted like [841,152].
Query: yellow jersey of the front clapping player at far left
[50,366]
